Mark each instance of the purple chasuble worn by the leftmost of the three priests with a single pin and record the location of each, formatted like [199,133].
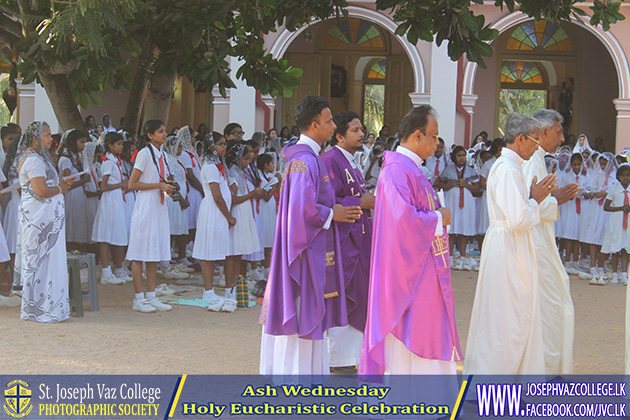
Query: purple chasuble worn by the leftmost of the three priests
[306,258]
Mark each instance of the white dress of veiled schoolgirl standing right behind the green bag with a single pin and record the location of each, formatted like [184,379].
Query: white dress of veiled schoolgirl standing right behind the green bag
[244,235]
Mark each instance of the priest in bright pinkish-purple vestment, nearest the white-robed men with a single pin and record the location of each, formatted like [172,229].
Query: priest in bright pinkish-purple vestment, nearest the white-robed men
[410,325]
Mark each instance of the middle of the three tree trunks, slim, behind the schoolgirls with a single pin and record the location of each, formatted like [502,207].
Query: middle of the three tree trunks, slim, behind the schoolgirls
[138,92]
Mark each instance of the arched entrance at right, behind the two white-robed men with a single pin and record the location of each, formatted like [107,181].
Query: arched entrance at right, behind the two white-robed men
[581,69]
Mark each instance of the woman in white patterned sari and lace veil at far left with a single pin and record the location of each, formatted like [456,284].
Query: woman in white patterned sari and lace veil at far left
[41,236]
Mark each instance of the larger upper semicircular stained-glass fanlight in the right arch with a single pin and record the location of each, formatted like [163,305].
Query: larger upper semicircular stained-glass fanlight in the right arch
[542,34]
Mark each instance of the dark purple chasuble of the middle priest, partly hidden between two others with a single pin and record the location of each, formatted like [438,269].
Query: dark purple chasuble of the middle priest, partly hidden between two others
[355,238]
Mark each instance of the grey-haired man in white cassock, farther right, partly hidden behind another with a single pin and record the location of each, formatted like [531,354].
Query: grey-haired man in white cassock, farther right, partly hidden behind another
[556,305]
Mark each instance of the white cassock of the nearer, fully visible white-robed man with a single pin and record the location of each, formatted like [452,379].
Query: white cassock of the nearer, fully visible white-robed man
[505,334]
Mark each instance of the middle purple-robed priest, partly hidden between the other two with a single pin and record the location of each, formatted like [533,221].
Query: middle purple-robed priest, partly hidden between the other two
[344,343]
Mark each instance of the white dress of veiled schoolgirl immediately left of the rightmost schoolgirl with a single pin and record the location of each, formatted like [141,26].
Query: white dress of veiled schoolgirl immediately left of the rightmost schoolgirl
[595,219]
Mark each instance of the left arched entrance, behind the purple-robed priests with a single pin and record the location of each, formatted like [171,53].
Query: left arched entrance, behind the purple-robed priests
[353,62]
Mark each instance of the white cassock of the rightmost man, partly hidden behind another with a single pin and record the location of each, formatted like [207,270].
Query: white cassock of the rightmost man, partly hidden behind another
[556,305]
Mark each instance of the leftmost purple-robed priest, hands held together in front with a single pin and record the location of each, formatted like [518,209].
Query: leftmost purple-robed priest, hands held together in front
[305,294]
